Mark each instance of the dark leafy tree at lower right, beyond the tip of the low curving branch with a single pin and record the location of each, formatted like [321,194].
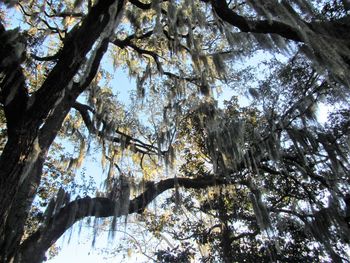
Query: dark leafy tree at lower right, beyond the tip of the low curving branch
[276,206]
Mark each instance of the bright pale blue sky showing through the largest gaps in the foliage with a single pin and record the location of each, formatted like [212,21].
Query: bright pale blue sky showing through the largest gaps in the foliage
[80,249]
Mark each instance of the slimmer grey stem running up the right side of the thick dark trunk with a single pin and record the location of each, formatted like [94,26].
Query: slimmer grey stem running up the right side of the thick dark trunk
[27,190]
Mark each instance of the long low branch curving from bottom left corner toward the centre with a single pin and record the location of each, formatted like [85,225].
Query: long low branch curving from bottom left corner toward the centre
[33,248]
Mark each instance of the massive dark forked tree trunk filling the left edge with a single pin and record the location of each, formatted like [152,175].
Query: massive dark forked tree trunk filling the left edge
[33,122]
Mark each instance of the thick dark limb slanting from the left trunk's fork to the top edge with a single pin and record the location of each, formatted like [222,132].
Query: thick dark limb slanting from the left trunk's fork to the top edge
[77,45]
